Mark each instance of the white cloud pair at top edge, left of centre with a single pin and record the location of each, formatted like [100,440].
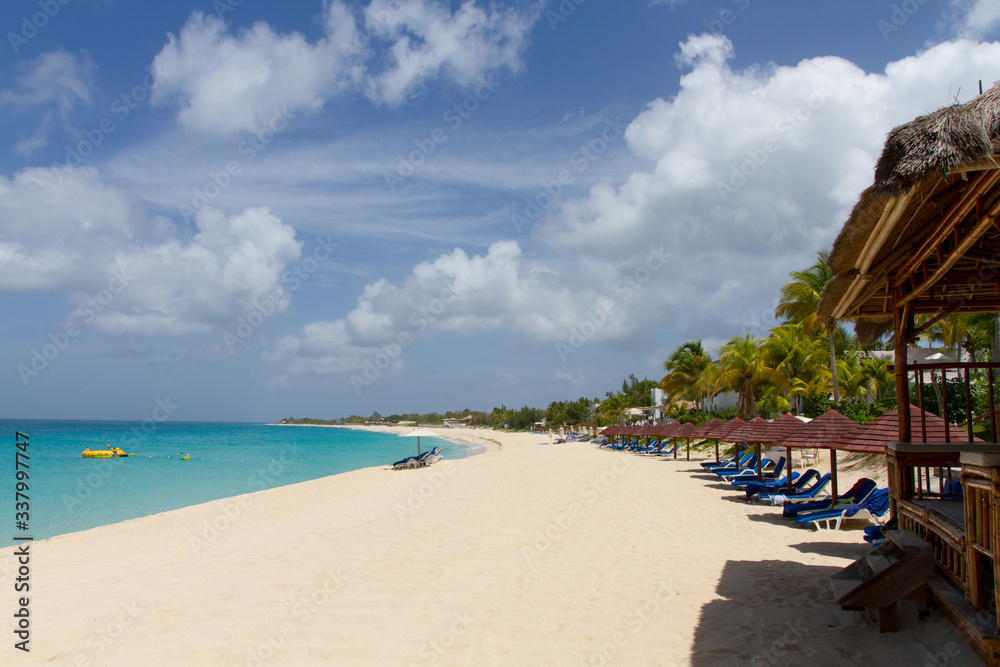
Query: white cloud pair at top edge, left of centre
[225,83]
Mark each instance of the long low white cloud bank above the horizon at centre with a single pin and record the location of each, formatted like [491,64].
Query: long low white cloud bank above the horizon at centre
[457,293]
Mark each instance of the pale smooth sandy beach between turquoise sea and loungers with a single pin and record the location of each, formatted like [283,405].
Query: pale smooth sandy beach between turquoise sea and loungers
[543,555]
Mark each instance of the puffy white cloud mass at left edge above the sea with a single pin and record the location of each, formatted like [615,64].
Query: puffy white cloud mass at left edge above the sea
[69,232]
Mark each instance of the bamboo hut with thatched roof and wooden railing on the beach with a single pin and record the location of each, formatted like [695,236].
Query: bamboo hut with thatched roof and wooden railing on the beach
[924,239]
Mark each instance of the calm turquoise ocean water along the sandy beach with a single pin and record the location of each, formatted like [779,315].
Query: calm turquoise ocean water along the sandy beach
[68,493]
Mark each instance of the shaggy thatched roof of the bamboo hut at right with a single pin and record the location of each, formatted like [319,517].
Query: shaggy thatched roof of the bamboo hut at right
[925,230]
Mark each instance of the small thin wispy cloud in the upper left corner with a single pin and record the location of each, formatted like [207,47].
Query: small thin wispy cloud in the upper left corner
[50,85]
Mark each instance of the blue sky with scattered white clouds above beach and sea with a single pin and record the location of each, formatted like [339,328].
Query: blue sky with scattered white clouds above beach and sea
[235,210]
